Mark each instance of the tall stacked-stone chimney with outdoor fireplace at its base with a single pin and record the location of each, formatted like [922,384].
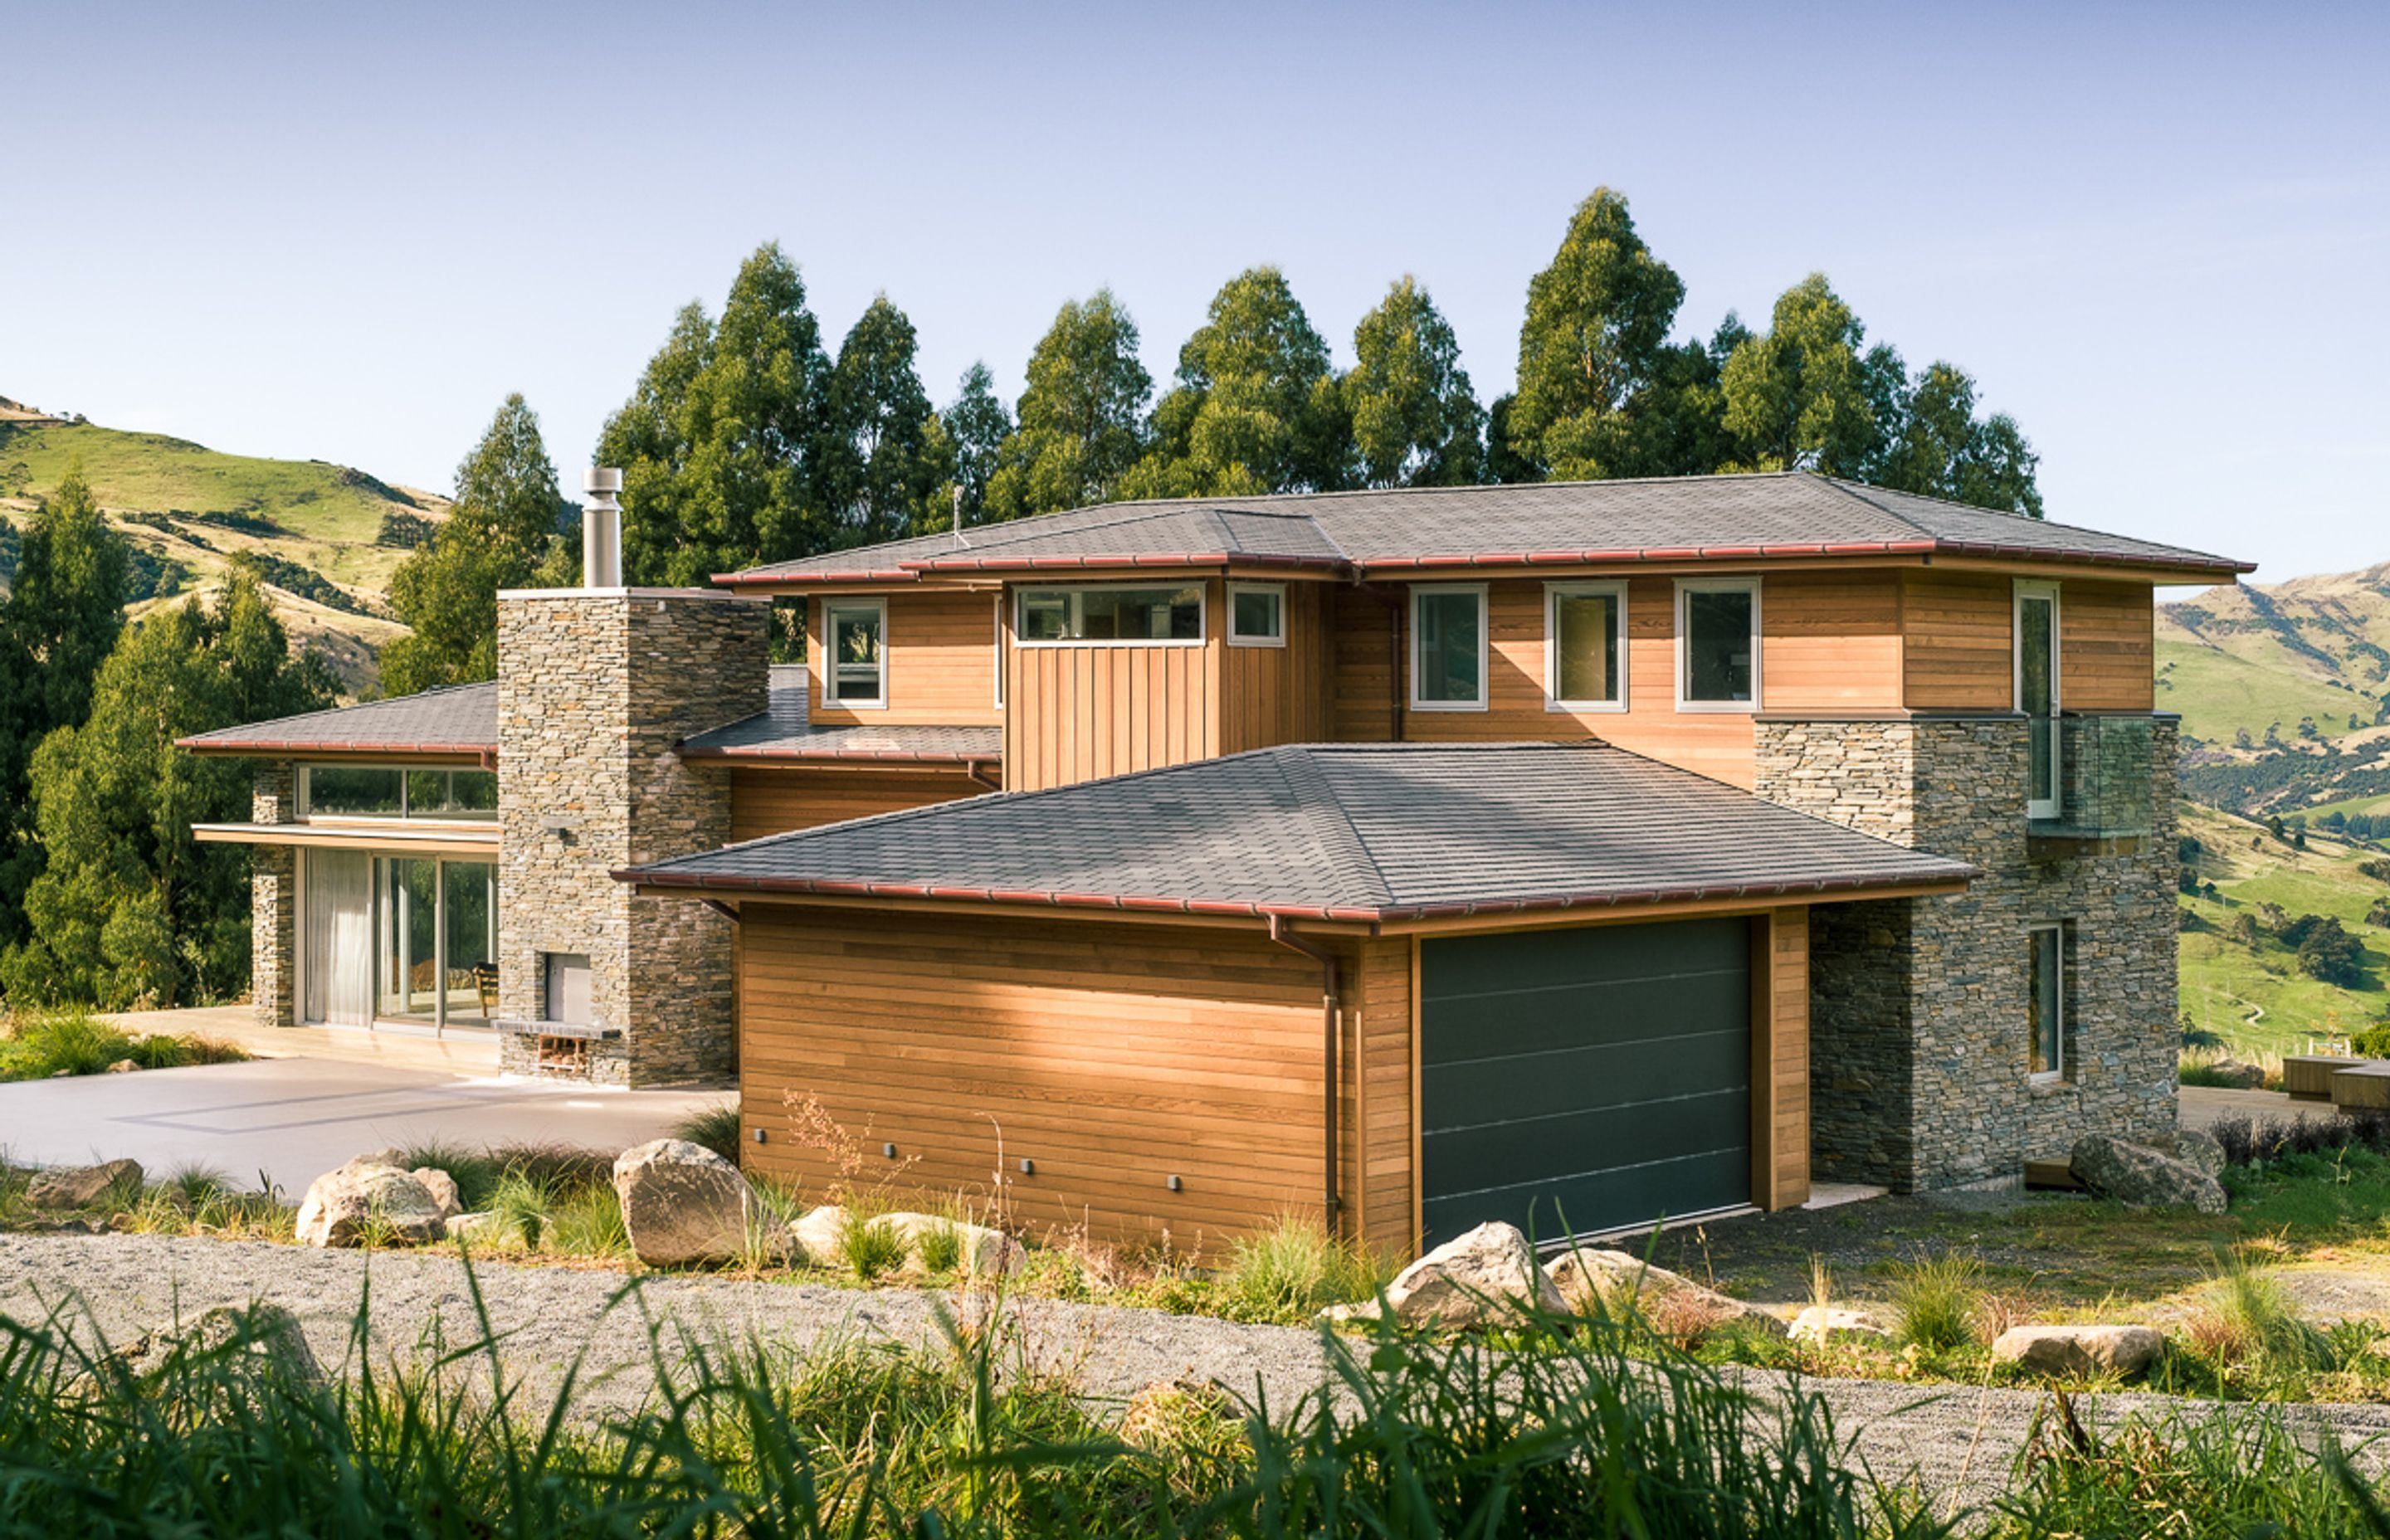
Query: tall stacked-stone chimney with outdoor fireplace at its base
[594,692]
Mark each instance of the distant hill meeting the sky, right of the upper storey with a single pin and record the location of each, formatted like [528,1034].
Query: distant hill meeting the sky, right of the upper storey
[2284,692]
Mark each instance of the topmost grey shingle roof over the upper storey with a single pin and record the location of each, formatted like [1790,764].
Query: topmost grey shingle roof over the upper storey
[1727,518]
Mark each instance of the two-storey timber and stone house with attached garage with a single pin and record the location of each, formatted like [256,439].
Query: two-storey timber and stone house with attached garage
[1576,855]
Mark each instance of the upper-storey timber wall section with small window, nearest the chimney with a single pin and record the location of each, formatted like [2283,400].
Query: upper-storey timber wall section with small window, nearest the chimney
[940,649]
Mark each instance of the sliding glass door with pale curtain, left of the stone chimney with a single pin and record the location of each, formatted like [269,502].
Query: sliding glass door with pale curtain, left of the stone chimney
[398,941]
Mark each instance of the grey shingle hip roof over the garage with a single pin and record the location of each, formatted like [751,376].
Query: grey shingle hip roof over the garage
[1342,831]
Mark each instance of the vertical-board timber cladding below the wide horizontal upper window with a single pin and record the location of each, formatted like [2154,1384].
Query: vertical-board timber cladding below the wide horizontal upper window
[1086,711]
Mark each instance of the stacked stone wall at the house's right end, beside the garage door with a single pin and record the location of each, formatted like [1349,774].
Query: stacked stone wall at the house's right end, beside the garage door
[1920,1015]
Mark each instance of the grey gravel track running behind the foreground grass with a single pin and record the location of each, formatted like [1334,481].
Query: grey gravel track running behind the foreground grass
[1956,1443]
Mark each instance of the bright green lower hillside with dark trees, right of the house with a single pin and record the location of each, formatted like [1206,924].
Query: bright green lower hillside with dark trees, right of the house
[2250,989]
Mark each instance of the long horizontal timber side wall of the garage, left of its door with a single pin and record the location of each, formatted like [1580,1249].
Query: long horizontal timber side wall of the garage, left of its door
[1108,1056]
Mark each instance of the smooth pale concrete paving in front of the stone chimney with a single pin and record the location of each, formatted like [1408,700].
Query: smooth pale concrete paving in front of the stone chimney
[293,1120]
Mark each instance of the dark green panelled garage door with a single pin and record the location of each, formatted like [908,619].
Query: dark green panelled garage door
[1593,1075]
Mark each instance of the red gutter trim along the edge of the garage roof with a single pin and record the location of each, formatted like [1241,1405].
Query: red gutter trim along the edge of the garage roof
[1249,910]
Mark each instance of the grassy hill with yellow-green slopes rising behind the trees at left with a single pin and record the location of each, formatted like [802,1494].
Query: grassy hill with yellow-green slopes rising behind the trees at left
[324,537]
